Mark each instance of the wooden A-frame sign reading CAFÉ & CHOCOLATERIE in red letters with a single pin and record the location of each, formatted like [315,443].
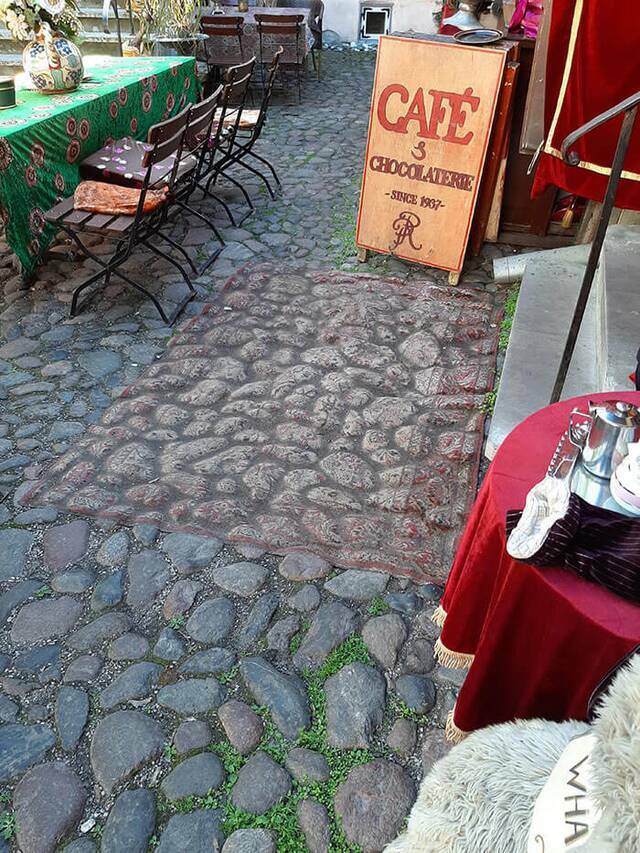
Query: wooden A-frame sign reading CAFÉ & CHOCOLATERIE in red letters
[431,115]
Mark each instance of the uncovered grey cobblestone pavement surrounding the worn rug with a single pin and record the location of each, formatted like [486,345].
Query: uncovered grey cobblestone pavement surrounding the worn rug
[168,697]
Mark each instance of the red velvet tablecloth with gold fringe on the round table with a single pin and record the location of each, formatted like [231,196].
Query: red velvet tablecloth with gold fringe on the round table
[537,640]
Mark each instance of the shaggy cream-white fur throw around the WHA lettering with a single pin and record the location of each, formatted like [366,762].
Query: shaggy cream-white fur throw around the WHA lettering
[479,798]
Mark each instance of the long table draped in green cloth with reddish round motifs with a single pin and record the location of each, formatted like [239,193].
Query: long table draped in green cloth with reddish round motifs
[44,138]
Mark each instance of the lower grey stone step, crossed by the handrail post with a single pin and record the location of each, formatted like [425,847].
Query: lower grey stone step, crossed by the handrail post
[547,299]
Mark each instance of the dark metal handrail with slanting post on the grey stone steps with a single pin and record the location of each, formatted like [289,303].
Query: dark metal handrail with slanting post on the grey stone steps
[628,107]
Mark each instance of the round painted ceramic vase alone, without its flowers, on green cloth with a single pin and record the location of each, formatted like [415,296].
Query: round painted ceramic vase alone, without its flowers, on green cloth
[53,63]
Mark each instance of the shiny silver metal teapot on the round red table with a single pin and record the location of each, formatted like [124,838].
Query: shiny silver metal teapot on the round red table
[611,427]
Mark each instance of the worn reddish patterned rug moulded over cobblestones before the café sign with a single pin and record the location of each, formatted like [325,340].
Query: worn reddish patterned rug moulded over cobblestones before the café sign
[326,412]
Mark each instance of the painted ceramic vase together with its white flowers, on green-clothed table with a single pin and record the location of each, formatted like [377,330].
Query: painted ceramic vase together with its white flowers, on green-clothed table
[51,58]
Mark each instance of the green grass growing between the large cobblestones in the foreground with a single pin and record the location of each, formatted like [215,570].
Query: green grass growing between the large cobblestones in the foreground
[282,818]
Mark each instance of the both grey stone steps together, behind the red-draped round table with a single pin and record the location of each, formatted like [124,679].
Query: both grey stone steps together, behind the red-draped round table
[609,339]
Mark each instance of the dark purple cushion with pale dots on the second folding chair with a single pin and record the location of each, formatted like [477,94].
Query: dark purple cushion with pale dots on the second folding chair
[121,162]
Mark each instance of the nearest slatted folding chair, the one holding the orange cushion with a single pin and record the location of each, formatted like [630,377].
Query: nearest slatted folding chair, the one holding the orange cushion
[142,228]
